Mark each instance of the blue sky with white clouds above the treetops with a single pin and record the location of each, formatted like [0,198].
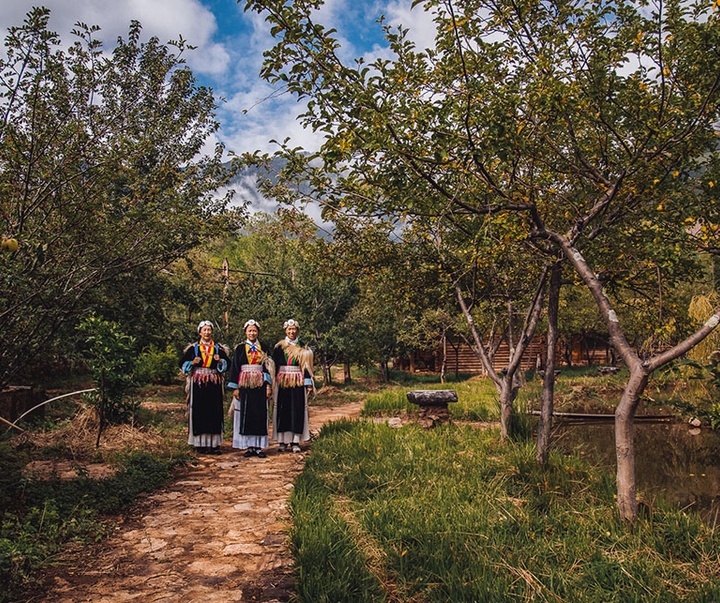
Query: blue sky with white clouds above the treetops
[230,43]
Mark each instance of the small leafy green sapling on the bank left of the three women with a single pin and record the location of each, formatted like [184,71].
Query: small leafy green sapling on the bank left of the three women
[112,357]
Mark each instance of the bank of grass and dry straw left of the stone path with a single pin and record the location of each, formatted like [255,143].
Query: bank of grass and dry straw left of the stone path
[42,509]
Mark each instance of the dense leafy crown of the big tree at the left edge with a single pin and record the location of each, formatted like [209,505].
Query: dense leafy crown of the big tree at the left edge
[98,203]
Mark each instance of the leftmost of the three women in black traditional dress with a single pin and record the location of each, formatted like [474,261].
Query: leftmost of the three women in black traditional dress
[203,363]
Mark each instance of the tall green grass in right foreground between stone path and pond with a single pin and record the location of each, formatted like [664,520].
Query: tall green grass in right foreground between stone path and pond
[451,514]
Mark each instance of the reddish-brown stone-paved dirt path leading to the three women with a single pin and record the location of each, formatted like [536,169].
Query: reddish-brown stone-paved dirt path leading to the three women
[217,534]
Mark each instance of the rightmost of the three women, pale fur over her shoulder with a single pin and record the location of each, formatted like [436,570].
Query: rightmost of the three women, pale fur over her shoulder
[293,383]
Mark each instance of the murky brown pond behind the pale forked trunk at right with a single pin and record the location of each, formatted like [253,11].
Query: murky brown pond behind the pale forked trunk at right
[673,461]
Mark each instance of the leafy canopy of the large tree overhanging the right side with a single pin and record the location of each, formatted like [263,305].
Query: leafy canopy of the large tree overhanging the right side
[487,144]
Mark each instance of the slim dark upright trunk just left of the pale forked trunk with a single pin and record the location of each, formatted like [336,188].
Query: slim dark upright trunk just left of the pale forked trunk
[548,393]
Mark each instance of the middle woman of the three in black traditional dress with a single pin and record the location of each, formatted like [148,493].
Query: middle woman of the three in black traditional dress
[251,379]
